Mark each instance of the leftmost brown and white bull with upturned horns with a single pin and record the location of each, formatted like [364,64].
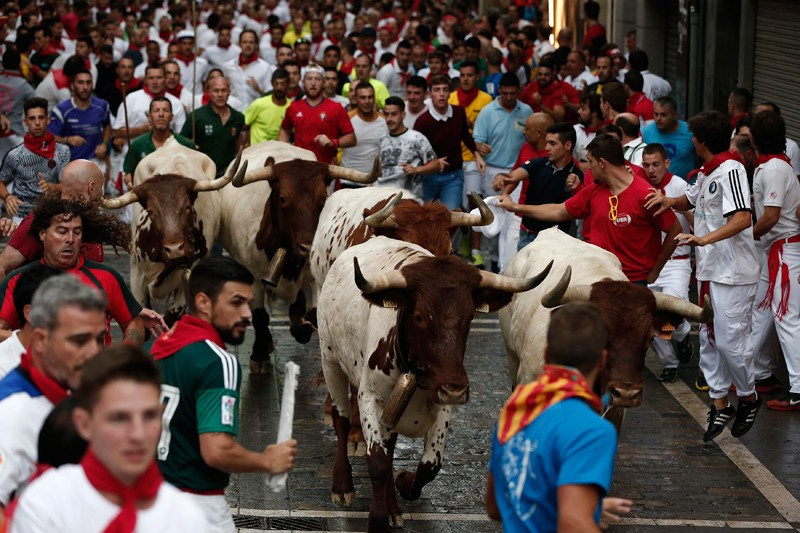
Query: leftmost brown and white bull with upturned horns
[175,222]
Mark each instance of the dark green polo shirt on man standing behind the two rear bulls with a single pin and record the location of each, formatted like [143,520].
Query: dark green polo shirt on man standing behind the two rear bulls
[213,138]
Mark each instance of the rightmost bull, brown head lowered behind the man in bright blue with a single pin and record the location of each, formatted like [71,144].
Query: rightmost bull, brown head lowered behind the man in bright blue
[582,271]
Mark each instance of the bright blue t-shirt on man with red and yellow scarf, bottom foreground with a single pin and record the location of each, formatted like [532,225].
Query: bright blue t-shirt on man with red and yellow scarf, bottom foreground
[568,444]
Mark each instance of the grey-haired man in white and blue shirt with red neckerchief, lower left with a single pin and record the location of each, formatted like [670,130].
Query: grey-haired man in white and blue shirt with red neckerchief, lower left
[63,307]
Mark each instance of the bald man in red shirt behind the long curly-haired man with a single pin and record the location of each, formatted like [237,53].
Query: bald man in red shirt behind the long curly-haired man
[79,179]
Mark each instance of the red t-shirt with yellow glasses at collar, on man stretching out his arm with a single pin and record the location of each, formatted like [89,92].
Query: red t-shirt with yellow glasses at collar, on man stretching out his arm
[634,236]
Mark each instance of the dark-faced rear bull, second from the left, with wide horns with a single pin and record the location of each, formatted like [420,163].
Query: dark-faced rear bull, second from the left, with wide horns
[269,218]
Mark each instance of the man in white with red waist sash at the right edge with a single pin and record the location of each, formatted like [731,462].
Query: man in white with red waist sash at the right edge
[776,197]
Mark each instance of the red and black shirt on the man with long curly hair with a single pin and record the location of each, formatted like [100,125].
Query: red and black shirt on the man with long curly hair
[122,306]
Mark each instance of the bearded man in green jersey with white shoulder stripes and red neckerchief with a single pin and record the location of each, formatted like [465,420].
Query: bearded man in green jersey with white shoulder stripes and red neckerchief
[201,381]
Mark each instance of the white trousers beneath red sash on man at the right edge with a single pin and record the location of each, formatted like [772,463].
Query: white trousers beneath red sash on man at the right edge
[768,330]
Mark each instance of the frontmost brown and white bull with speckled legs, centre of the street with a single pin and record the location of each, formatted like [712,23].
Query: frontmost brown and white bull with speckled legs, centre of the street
[392,313]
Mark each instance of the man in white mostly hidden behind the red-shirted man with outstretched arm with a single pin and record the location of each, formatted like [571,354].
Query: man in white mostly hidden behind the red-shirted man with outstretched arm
[674,277]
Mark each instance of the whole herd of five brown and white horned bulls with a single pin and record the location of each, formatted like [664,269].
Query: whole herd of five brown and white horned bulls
[371,271]
